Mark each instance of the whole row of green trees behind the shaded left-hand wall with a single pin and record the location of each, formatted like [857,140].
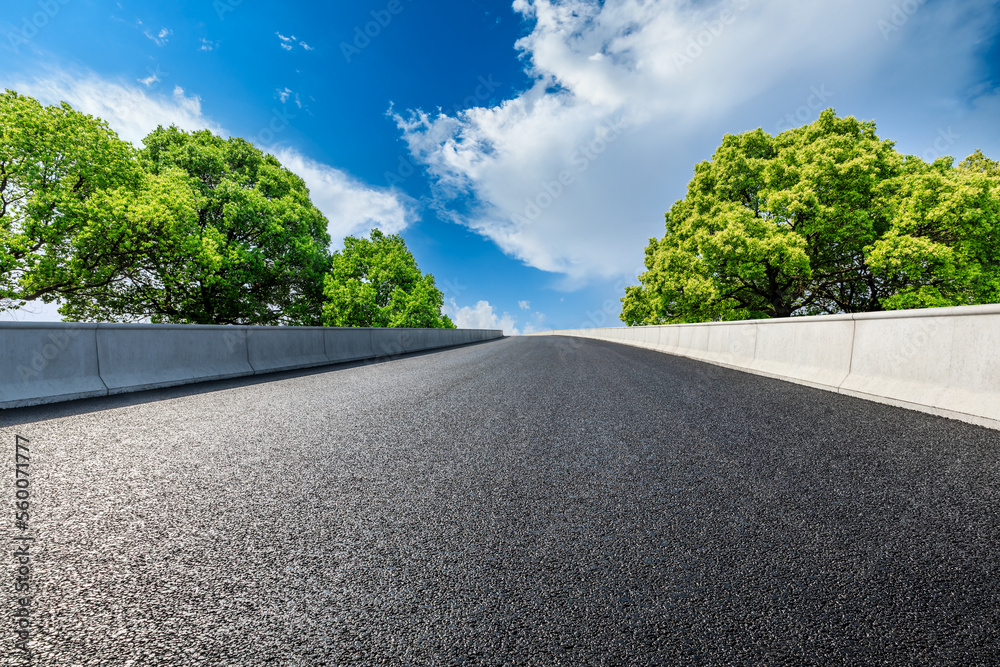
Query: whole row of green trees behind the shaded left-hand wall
[191,228]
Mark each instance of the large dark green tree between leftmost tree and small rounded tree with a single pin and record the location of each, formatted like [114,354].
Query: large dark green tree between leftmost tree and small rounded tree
[226,235]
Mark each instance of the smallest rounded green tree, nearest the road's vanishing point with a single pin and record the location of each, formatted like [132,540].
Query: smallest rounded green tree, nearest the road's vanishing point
[376,283]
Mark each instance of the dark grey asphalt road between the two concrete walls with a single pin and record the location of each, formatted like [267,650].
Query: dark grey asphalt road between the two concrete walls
[530,501]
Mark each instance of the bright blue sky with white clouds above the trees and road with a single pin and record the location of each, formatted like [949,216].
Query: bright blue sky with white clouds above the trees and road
[526,151]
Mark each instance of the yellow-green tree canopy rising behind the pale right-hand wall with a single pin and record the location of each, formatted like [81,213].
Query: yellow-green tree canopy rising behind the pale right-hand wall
[825,218]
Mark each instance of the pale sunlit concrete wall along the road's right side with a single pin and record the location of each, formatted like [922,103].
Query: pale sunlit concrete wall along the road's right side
[944,361]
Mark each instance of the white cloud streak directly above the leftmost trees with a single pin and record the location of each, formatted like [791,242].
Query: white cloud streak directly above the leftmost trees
[131,111]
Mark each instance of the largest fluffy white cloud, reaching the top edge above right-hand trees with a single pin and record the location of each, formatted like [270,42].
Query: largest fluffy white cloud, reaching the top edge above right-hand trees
[573,175]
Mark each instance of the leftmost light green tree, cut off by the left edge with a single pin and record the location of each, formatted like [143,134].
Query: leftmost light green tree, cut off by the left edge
[67,184]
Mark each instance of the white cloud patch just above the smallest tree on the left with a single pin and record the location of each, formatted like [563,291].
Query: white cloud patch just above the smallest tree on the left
[351,206]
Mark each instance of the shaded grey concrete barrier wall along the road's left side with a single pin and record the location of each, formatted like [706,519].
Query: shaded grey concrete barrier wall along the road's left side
[51,362]
